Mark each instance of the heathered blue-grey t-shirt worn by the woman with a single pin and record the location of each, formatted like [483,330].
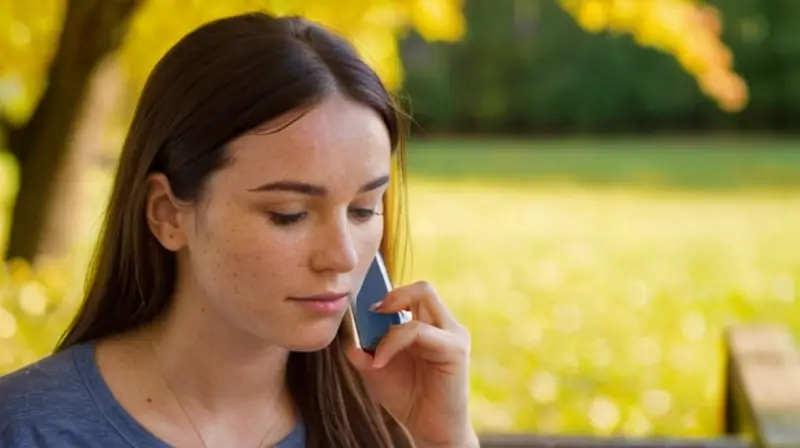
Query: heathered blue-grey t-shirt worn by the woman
[62,401]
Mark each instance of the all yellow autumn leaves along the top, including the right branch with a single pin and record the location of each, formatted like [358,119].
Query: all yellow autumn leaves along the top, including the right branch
[686,29]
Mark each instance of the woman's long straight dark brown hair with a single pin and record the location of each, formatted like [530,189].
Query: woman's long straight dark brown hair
[218,82]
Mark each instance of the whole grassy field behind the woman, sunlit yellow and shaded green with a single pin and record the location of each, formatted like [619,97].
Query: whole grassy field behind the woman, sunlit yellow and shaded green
[596,283]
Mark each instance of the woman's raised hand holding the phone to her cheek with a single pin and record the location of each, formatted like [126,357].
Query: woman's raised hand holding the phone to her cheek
[420,371]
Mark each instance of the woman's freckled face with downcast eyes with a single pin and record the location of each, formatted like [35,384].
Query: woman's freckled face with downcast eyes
[292,218]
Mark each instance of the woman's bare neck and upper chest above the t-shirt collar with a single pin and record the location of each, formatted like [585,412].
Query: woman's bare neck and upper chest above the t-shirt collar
[190,366]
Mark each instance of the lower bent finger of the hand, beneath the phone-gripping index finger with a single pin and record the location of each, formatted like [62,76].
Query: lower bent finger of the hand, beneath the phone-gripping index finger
[435,345]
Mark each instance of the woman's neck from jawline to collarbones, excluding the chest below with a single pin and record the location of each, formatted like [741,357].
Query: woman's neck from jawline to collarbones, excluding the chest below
[200,355]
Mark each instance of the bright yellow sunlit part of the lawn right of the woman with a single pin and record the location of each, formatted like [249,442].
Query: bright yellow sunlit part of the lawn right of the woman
[602,310]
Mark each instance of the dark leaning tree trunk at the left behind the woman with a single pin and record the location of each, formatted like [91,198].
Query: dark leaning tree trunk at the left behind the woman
[92,29]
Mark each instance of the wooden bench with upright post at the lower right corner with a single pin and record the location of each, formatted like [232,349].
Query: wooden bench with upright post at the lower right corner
[762,400]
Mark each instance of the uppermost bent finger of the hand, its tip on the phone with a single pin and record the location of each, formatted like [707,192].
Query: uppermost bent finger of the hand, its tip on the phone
[417,295]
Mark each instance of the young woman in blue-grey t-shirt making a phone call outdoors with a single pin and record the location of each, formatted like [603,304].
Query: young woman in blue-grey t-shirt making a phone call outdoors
[257,182]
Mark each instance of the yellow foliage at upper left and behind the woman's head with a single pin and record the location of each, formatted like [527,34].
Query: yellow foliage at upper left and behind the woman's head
[373,25]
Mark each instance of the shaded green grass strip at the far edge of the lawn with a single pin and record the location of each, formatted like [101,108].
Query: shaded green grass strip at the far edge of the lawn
[691,163]
